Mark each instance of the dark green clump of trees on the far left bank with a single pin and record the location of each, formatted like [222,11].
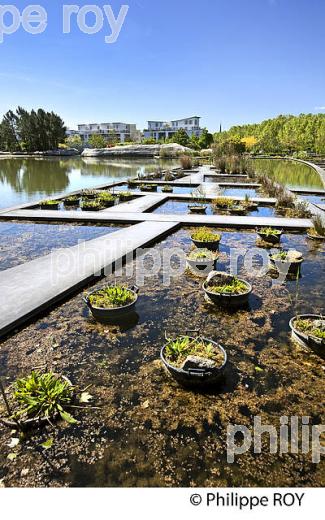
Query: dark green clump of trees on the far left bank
[33,131]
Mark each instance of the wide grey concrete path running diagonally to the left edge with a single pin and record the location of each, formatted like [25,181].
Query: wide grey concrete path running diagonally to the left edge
[30,288]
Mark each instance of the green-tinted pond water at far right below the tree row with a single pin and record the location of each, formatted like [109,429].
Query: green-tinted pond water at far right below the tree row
[291,174]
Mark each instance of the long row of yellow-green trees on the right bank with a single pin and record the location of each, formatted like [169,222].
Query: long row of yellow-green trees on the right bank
[283,134]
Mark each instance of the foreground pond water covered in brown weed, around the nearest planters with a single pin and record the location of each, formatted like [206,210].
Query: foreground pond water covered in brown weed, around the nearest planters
[145,429]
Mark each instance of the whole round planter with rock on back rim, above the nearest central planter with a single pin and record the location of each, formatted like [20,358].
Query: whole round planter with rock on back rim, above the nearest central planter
[226,290]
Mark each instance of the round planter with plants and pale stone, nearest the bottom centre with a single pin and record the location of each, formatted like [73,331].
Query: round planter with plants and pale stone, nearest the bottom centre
[194,361]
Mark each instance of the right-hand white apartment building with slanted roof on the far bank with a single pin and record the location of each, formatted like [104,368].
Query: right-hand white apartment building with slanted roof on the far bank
[166,129]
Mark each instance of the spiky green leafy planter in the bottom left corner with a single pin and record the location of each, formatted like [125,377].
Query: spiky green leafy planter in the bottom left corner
[38,399]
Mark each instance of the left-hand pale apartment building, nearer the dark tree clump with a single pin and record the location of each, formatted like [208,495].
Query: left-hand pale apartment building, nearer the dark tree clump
[120,131]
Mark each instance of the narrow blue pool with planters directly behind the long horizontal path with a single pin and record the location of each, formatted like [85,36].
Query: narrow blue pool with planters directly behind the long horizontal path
[181,208]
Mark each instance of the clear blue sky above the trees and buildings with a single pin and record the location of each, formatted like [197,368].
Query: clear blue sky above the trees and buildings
[230,61]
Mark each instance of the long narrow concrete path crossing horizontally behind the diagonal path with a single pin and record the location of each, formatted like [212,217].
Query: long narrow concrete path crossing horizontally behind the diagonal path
[130,218]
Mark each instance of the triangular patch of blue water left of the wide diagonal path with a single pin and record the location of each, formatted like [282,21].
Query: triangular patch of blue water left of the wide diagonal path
[21,242]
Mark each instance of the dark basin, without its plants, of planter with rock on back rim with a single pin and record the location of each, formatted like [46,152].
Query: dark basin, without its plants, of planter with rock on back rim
[224,299]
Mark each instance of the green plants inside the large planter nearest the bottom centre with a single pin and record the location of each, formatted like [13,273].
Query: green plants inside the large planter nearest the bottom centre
[179,349]
